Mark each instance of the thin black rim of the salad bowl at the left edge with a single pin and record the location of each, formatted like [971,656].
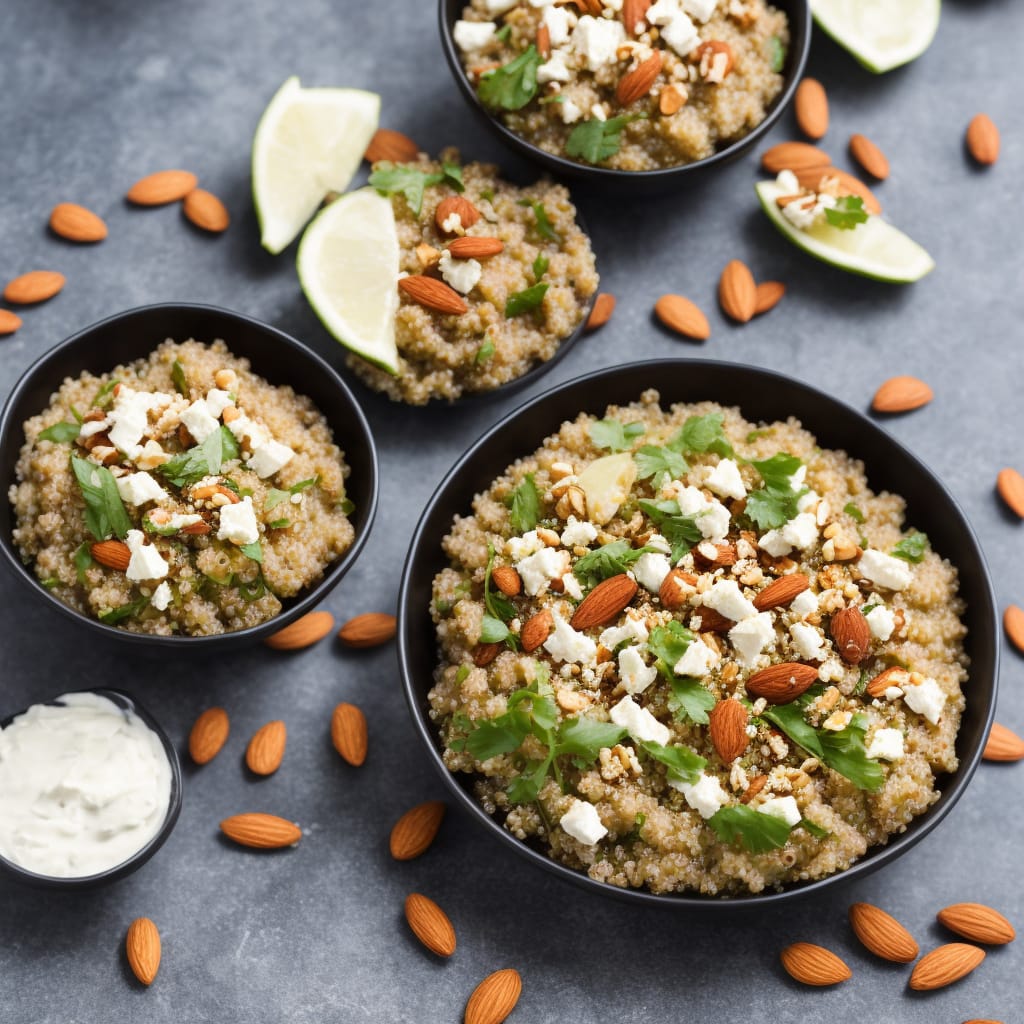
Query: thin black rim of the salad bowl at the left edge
[334,573]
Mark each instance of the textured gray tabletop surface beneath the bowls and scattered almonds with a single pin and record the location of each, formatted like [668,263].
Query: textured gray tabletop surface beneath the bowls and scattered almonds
[97,95]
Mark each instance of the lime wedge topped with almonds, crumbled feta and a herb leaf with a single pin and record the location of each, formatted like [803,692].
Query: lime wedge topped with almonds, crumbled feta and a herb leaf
[875,249]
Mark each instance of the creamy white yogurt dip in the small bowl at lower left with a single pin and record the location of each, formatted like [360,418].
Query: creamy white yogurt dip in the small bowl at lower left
[83,786]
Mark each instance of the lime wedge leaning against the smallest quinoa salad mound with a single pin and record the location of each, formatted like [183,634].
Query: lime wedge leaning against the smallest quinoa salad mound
[349,269]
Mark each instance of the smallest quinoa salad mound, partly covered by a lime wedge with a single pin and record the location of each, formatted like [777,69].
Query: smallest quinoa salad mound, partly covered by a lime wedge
[493,278]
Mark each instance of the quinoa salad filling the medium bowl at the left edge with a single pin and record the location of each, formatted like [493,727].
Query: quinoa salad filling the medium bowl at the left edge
[181,494]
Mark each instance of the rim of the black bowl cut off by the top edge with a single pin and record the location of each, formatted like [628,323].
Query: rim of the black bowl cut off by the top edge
[799,48]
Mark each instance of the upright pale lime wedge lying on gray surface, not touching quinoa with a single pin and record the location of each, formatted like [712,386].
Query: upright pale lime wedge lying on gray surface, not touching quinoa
[309,143]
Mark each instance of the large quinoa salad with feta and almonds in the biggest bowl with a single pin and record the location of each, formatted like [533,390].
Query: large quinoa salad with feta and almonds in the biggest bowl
[688,653]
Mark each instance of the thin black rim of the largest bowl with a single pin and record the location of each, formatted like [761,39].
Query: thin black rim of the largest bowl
[879,858]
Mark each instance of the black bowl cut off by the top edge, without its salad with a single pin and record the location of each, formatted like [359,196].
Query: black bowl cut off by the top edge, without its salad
[637,183]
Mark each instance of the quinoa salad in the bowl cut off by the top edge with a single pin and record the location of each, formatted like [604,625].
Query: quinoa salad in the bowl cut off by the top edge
[626,84]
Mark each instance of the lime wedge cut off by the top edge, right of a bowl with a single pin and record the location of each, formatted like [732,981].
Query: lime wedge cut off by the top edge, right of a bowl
[881,34]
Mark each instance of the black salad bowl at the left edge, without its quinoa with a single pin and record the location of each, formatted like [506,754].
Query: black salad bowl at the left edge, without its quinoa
[274,355]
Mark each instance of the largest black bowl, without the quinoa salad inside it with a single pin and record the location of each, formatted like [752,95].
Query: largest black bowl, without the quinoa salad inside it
[761,395]
